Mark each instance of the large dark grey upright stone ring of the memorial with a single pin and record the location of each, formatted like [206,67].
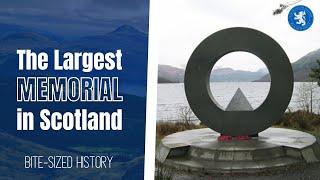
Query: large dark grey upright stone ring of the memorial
[197,85]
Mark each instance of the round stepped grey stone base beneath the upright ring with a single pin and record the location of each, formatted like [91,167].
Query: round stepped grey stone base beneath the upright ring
[199,151]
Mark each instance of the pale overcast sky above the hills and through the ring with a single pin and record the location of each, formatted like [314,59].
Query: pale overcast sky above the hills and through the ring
[184,24]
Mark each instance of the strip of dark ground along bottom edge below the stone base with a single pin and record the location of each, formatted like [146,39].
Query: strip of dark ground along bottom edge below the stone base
[310,172]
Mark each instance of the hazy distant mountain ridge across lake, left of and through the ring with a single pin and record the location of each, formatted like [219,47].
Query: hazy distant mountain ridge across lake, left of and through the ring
[170,74]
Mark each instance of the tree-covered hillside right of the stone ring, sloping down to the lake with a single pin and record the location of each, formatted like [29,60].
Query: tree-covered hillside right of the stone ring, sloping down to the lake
[302,67]
